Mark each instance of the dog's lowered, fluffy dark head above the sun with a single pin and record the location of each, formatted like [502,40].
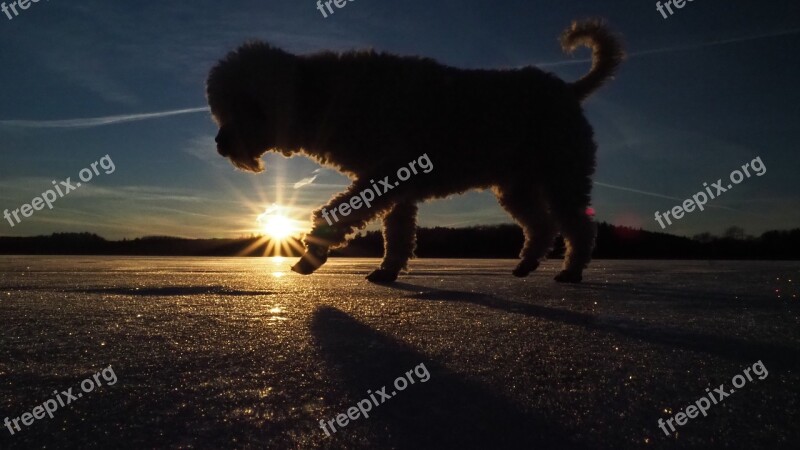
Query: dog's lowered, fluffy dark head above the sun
[251,96]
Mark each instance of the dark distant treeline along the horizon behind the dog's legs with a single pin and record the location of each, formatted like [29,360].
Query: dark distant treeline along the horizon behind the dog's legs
[497,241]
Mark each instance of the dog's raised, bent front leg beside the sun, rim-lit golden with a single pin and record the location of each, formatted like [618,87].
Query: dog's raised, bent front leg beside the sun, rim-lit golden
[341,216]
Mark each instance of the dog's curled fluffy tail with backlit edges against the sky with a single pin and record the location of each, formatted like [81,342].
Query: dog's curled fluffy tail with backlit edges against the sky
[607,53]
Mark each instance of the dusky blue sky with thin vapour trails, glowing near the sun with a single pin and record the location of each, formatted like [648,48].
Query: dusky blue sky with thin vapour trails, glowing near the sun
[704,92]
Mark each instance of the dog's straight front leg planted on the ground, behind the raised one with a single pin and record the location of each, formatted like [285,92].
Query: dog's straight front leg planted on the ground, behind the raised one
[399,241]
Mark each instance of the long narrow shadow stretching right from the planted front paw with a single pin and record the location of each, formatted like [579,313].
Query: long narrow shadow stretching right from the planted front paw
[731,348]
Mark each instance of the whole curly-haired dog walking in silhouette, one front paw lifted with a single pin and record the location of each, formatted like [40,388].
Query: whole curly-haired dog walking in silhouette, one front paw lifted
[520,132]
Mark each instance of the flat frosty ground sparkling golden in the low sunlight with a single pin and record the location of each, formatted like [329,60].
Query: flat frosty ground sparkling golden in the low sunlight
[243,353]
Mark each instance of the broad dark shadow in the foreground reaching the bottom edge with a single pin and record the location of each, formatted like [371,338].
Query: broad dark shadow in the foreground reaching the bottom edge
[447,411]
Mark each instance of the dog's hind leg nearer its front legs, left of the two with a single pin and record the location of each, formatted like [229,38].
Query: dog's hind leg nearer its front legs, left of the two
[527,206]
